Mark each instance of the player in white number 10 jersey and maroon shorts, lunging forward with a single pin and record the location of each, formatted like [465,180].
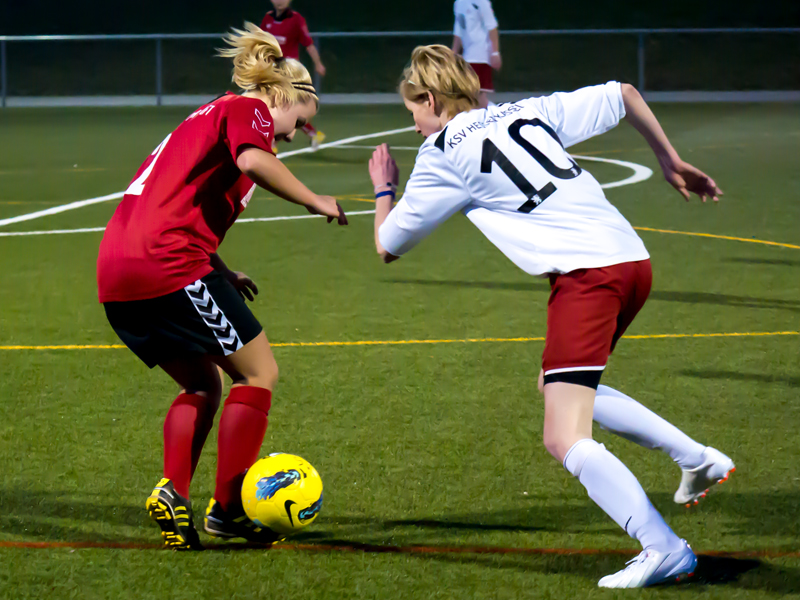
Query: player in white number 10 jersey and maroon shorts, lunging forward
[507,170]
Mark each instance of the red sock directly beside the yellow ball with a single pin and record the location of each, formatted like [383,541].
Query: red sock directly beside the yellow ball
[241,432]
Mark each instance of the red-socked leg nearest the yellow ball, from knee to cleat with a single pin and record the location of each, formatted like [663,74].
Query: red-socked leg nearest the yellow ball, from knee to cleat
[241,432]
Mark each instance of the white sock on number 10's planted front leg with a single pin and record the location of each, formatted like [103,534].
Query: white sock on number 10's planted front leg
[615,489]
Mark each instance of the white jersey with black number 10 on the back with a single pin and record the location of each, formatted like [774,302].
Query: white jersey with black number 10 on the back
[507,169]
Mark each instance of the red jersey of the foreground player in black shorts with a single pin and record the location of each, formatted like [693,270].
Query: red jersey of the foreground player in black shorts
[182,201]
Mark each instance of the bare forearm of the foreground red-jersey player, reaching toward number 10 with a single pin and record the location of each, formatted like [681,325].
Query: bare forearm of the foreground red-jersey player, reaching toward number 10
[271,174]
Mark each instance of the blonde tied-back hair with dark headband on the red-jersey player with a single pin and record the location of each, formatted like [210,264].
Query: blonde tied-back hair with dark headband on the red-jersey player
[259,65]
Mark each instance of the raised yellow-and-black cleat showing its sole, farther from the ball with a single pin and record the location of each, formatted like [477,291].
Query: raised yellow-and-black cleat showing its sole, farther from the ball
[173,513]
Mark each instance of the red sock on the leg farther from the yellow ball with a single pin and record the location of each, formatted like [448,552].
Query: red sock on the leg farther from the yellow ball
[185,431]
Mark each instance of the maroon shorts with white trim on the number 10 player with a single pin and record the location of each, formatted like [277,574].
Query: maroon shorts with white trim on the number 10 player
[588,311]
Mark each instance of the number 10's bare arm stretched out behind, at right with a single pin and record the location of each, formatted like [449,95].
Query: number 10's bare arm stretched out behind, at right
[681,175]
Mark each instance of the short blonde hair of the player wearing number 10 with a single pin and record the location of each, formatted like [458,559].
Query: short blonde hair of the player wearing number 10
[445,74]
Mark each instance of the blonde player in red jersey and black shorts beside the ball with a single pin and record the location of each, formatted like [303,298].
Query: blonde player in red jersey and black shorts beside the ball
[174,302]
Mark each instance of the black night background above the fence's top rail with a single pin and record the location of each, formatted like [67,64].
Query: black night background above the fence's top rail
[19,17]
